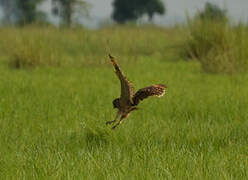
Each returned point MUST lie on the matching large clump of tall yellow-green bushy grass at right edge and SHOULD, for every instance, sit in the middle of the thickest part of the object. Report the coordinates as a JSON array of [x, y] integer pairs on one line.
[[218, 46]]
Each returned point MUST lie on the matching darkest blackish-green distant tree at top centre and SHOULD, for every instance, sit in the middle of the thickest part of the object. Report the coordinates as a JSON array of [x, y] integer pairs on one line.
[[132, 10]]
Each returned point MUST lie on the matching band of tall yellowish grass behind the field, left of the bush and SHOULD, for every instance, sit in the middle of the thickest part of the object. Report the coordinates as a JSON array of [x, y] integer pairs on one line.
[[40, 46]]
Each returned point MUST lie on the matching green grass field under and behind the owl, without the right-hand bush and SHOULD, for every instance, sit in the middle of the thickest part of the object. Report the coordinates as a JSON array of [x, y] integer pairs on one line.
[[52, 116]]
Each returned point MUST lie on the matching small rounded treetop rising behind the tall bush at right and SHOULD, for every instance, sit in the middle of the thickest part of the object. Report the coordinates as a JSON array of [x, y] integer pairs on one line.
[[213, 12]]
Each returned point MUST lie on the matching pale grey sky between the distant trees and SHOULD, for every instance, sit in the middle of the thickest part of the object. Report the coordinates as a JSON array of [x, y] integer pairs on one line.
[[101, 10]]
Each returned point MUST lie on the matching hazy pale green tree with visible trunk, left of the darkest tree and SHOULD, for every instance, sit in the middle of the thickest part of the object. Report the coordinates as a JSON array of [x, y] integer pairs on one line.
[[68, 9]]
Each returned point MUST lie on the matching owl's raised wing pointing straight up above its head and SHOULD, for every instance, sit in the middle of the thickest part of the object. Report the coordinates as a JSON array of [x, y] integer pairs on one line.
[[127, 90]]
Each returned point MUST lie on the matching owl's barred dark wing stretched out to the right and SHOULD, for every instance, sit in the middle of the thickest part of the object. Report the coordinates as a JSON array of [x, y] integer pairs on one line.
[[153, 90]]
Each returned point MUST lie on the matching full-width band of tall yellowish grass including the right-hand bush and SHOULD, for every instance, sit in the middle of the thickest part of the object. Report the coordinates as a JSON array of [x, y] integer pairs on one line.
[[218, 46]]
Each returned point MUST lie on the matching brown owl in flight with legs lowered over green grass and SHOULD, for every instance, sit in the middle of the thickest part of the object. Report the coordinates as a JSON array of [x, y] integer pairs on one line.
[[128, 101]]
